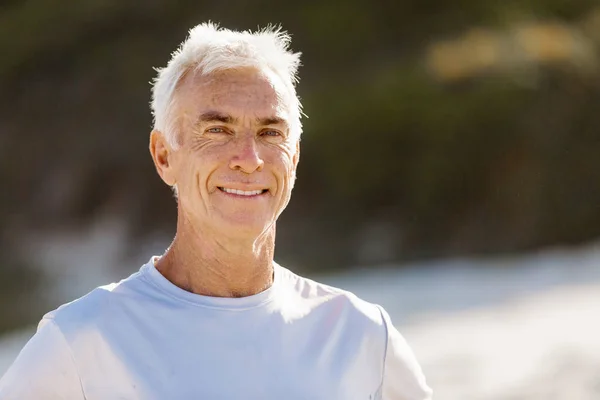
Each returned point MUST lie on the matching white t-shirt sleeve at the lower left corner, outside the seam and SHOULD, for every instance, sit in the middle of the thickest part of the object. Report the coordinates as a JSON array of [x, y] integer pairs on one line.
[[44, 369]]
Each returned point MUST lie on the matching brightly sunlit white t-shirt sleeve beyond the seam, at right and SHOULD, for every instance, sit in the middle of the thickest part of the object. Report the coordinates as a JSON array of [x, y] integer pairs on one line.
[[403, 378]]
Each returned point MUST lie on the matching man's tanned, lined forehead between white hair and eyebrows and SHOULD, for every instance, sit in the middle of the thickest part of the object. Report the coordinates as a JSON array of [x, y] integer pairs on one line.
[[240, 92]]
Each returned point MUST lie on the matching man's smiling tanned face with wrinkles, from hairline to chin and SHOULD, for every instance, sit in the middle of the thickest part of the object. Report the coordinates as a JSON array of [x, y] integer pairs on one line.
[[236, 163]]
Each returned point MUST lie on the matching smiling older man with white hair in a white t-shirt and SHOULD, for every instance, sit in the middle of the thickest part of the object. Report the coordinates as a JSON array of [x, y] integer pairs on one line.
[[215, 317]]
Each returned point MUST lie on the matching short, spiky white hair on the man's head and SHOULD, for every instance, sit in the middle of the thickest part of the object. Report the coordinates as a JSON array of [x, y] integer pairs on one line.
[[209, 48]]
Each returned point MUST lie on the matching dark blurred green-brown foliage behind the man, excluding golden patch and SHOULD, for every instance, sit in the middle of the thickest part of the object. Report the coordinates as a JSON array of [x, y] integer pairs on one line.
[[498, 160]]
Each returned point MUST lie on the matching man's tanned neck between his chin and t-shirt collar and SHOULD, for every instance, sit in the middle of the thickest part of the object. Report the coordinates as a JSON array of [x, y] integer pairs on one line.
[[210, 264]]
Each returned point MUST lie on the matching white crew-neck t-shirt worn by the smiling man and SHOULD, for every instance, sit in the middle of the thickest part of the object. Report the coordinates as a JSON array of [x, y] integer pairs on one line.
[[145, 338]]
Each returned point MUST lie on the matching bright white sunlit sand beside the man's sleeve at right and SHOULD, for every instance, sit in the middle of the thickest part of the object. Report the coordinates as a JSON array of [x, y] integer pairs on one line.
[[545, 346]]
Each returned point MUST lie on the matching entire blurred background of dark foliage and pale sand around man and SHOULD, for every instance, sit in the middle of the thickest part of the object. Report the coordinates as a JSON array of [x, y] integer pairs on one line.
[[450, 170]]
